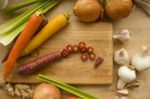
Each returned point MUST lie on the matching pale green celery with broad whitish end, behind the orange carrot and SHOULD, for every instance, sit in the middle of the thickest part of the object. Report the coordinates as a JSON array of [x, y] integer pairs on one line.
[[10, 30]]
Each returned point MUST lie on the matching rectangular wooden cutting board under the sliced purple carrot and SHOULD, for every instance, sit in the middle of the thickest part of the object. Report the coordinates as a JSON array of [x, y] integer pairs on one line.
[[72, 70]]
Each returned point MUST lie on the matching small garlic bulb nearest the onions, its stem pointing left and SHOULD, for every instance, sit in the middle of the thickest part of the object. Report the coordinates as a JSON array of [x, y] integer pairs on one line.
[[123, 36]]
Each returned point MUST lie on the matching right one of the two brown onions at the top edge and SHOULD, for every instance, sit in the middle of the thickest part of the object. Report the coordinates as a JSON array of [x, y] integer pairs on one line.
[[116, 9]]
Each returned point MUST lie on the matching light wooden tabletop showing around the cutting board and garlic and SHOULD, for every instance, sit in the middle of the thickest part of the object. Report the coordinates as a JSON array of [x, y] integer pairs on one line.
[[139, 25]]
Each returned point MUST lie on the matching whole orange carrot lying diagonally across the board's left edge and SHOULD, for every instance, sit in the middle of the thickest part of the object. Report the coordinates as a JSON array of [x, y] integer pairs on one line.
[[23, 39]]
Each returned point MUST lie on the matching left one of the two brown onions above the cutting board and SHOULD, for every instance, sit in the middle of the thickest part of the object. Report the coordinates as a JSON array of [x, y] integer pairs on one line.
[[88, 10]]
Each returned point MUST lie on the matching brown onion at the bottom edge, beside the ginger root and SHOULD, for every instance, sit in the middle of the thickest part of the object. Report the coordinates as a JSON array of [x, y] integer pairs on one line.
[[46, 91]]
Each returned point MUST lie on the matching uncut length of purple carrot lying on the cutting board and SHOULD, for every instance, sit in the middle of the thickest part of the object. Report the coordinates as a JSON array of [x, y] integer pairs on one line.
[[39, 63]]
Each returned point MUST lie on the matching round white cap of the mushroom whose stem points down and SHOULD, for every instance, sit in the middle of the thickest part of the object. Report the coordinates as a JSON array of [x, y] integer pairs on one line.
[[126, 74]]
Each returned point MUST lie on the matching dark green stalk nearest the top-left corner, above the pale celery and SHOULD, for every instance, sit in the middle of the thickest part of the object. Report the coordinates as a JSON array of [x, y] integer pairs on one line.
[[13, 7]]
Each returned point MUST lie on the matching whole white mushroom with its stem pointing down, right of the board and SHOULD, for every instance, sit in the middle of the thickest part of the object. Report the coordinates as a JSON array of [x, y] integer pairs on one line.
[[126, 75]]
